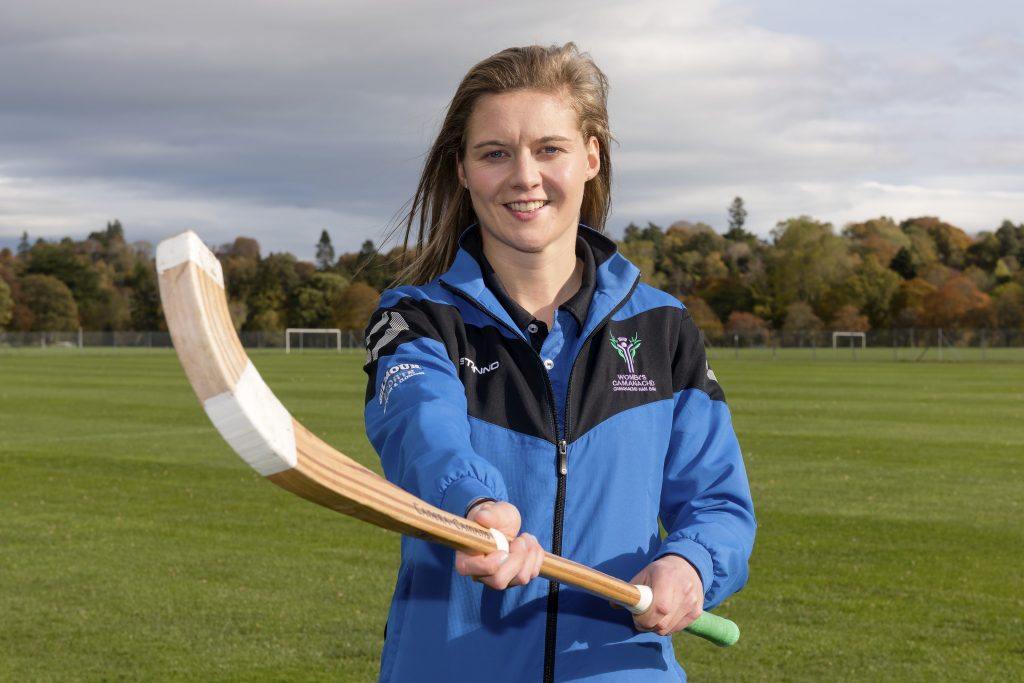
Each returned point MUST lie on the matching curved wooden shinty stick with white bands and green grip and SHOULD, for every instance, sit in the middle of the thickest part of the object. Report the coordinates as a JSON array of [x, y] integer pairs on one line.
[[266, 436]]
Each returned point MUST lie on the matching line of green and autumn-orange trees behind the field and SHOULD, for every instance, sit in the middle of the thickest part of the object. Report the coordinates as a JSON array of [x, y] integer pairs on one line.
[[805, 278]]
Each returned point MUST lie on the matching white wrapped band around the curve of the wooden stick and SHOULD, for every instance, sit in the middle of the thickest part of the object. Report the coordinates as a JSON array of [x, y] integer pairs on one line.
[[255, 424]]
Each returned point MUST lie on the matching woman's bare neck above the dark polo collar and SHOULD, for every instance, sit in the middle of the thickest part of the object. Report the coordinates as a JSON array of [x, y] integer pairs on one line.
[[539, 283]]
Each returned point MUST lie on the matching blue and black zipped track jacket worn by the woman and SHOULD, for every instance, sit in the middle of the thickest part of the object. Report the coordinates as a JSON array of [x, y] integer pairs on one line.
[[598, 431]]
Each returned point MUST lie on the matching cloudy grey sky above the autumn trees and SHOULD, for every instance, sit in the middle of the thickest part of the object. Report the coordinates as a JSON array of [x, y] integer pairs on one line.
[[278, 119]]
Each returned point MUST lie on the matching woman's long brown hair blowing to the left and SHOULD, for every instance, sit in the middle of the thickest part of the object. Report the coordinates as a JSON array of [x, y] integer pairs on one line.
[[442, 209]]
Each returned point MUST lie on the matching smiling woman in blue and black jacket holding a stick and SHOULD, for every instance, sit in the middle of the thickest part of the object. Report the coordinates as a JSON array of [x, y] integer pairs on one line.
[[529, 381]]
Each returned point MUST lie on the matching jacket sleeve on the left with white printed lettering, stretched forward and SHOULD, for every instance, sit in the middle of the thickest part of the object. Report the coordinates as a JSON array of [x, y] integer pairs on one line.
[[416, 412]]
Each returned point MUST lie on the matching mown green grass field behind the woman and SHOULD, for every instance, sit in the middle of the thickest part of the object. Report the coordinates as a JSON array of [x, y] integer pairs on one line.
[[135, 545]]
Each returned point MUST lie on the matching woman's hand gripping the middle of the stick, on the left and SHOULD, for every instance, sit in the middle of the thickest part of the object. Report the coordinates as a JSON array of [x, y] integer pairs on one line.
[[500, 570]]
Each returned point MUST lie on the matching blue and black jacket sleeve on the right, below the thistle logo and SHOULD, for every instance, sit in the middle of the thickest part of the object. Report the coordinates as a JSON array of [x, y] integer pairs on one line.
[[706, 499]]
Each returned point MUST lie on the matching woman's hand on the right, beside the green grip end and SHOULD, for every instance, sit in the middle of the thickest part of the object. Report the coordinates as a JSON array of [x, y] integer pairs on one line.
[[678, 595]]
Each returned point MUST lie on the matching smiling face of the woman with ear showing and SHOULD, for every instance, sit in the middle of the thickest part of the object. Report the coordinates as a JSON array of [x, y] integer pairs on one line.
[[526, 165]]
